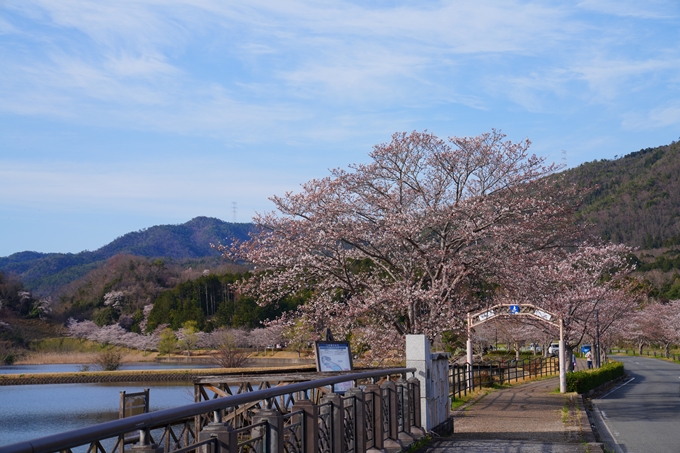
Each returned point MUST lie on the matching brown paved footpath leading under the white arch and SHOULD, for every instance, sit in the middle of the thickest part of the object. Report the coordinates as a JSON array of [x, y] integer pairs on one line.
[[527, 418]]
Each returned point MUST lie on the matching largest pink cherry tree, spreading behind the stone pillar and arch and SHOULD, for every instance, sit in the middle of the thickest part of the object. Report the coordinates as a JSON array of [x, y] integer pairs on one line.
[[429, 230]]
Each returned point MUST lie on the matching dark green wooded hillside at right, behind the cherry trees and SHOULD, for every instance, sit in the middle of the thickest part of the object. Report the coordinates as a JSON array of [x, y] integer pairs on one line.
[[636, 199]]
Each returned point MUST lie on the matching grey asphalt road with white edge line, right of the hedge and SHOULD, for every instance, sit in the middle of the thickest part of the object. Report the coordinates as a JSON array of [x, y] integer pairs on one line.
[[643, 415]]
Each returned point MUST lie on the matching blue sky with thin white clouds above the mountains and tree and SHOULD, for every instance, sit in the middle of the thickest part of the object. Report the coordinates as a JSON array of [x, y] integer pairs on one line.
[[117, 116]]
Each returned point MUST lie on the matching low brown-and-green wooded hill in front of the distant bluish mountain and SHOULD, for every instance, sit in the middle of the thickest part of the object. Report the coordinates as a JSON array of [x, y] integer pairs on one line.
[[118, 291]]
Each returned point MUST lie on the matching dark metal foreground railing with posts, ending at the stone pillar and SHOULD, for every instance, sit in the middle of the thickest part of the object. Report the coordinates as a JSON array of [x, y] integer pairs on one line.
[[382, 414]]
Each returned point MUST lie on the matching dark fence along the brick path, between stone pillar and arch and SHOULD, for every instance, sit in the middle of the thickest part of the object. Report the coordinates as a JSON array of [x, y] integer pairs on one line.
[[485, 374]]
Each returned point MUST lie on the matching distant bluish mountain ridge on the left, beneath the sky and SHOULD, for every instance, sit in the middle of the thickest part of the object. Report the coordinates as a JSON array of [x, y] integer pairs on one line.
[[42, 273]]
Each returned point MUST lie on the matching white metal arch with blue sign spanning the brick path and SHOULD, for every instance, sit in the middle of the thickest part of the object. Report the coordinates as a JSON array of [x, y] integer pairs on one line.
[[506, 310]]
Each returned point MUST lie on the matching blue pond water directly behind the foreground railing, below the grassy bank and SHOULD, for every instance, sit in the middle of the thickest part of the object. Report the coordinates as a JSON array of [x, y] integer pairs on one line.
[[31, 411]]
